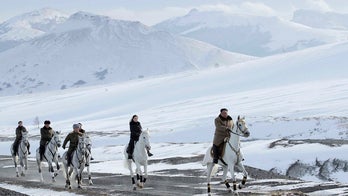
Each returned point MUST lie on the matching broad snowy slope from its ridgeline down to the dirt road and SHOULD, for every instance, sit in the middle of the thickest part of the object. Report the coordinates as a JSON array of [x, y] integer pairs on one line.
[[300, 95]]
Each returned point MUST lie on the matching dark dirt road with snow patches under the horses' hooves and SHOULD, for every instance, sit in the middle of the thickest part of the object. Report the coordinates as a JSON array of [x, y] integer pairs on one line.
[[165, 182]]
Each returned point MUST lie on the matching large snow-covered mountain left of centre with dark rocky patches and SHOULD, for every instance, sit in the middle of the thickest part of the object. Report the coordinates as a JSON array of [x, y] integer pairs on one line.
[[90, 49]]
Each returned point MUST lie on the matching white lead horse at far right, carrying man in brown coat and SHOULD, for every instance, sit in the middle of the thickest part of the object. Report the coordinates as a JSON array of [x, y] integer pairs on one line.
[[232, 157]]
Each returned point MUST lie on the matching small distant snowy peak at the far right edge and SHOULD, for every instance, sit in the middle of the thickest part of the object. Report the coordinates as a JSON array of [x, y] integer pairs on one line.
[[319, 19]]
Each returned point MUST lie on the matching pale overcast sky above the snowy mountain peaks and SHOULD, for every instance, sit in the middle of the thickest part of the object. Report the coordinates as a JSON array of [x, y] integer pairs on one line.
[[151, 12]]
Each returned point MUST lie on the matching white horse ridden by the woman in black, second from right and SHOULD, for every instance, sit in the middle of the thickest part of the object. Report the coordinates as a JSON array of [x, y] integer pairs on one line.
[[139, 158]]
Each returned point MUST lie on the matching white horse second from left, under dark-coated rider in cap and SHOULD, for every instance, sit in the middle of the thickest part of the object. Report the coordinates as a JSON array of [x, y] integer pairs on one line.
[[50, 156]]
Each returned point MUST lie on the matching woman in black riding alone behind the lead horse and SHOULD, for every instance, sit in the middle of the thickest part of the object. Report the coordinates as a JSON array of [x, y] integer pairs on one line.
[[135, 129]]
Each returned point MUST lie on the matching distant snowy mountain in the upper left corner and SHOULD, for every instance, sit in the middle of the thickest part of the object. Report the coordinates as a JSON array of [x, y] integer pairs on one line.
[[28, 26]]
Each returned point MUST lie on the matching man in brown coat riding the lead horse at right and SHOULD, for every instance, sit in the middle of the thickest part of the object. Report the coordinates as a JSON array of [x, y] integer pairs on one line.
[[223, 126]]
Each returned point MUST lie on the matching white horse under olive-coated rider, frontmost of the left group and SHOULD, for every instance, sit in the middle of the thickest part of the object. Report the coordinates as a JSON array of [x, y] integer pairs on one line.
[[78, 162]]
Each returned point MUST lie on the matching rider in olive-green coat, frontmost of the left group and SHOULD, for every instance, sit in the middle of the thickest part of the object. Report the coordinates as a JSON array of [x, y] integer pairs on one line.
[[73, 138]]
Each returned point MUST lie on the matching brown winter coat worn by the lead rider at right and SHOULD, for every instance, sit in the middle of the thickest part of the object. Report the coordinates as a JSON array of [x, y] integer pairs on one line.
[[222, 127]]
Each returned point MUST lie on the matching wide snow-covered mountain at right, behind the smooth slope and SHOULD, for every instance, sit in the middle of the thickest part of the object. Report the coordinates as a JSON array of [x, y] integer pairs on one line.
[[249, 34]]
